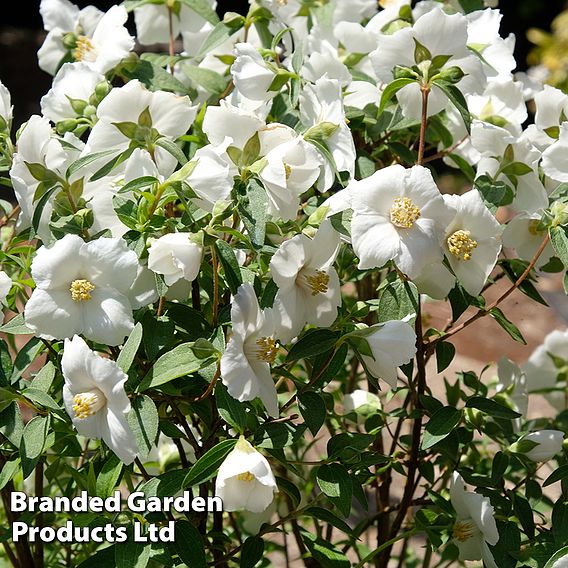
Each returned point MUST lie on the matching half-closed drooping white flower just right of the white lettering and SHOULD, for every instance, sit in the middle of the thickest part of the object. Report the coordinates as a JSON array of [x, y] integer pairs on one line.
[[245, 480]]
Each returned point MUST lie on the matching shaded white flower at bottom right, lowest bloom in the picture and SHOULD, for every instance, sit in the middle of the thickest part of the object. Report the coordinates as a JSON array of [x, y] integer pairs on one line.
[[475, 526]]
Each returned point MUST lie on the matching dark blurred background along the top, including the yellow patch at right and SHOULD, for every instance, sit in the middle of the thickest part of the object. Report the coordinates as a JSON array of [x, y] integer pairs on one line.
[[21, 34]]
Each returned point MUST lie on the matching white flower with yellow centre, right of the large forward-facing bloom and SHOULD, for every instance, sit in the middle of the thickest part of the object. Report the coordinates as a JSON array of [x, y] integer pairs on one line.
[[472, 240]]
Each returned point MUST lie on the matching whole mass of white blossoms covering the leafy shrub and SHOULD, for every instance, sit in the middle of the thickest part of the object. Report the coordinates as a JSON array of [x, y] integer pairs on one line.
[[236, 167]]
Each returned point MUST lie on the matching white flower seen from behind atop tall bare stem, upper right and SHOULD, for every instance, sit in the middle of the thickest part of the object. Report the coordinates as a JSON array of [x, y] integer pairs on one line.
[[441, 34]]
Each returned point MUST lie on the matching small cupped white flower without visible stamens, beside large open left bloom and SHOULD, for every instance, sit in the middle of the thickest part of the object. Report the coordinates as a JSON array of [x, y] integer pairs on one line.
[[175, 256]]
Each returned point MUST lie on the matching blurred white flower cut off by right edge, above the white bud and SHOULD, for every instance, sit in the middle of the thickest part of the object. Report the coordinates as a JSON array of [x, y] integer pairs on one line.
[[542, 371]]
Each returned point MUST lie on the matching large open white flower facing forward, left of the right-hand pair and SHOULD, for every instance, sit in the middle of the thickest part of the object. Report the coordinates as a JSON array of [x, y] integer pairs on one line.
[[398, 214]]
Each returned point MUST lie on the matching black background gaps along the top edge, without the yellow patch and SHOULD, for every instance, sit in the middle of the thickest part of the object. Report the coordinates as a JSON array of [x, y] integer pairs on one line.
[[21, 34]]
